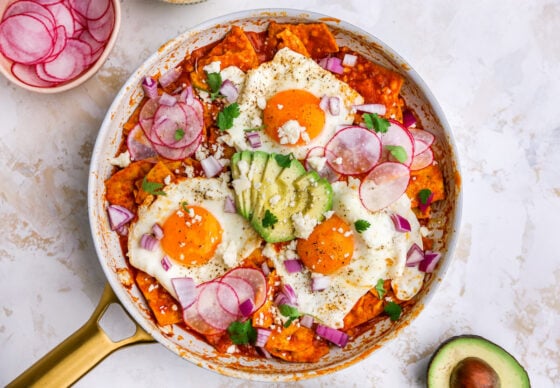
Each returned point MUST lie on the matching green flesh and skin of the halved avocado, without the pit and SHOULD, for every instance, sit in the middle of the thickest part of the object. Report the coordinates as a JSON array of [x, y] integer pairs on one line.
[[511, 372]]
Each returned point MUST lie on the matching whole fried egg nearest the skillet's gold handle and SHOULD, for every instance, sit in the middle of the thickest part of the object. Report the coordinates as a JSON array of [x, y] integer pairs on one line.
[[200, 240]]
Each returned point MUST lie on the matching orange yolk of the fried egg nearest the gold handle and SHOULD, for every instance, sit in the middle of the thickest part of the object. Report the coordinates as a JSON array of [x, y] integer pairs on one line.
[[191, 235]]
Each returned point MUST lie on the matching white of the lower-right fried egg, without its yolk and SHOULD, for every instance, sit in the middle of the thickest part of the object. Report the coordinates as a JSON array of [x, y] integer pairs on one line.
[[379, 253]]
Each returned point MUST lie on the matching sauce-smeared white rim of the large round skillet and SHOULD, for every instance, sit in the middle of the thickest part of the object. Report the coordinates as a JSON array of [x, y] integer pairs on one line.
[[132, 82]]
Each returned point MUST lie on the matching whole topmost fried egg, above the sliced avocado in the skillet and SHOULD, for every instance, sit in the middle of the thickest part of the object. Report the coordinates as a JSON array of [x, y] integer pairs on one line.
[[283, 98]]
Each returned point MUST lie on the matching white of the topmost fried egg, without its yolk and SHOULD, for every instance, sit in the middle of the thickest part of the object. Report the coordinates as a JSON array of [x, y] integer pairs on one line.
[[289, 70]]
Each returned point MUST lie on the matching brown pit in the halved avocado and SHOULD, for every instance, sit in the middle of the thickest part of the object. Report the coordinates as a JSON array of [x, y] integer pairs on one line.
[[473, 372]]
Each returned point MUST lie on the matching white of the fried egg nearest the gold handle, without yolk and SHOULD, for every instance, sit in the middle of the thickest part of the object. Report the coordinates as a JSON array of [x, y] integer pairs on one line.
[[238, 238]]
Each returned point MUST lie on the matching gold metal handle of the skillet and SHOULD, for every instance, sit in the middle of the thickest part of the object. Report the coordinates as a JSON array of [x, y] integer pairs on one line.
[[79, 353]]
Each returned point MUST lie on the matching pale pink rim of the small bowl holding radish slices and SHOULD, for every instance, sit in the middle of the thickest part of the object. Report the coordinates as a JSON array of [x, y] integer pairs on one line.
[[85, 76]]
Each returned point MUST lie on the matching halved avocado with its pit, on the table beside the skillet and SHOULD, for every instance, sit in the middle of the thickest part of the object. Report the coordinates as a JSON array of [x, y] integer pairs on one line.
[[470, 356]]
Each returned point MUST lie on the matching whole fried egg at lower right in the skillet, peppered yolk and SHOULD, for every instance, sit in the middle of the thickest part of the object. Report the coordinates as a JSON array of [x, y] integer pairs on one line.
[[354, 261]]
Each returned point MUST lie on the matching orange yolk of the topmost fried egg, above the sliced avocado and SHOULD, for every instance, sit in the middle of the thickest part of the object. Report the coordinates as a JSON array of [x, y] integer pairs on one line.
[[293, 104]]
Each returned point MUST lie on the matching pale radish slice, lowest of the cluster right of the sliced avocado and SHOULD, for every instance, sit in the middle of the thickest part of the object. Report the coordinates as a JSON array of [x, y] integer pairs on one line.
[[384, 185]]
